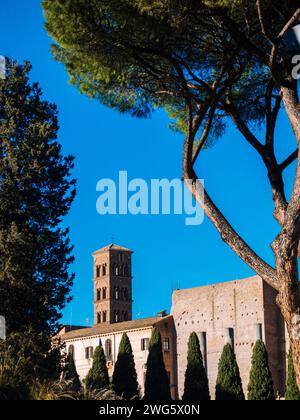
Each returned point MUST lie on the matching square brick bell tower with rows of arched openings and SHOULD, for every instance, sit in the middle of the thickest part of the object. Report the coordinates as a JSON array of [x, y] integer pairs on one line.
[[112, 285]]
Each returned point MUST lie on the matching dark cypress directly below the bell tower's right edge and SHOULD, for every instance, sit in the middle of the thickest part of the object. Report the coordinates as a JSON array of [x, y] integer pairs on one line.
[[125, 382]]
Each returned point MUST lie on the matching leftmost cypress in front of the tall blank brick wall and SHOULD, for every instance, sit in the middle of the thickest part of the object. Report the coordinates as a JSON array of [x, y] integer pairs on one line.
[[196, 382]]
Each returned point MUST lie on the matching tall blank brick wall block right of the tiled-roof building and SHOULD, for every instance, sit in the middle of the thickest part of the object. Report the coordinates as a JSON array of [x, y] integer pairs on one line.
[[239, 313]]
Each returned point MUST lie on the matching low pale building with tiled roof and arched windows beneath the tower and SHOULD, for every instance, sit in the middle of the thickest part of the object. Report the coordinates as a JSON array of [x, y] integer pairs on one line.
[[82, 343]]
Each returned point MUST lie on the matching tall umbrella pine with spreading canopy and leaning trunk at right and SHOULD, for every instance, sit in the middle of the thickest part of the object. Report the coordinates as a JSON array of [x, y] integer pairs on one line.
[[208, 63]]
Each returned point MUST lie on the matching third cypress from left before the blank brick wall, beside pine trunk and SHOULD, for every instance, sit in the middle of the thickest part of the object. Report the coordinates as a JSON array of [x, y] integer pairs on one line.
[[261, 387]]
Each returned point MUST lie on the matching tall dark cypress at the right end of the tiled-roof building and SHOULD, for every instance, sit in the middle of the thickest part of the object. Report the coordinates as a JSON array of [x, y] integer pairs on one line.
[[157, 387]]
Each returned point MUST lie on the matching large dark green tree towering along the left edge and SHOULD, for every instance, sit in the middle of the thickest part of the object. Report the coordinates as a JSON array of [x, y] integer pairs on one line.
[[36, 192]]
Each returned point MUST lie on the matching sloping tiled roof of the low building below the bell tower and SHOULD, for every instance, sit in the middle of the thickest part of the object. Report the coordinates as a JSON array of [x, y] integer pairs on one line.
[[103, 329]]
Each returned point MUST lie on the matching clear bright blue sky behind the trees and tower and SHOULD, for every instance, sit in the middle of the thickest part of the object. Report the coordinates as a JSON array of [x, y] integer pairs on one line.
[[167, 253]]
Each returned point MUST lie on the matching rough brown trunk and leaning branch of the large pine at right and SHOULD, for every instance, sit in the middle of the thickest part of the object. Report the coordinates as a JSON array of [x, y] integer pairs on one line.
[[285, 277]]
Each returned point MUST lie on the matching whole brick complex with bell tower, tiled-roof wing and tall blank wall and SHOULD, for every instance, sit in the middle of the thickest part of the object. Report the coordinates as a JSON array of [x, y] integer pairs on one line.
[[238, 312]]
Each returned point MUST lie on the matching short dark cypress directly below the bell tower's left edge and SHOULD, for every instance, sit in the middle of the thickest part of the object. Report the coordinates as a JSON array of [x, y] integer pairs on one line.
[[97, 379]]
